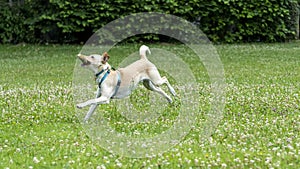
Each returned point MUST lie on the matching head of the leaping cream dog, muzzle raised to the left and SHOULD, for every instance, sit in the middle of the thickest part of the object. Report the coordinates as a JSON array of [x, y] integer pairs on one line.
[[95, 61]]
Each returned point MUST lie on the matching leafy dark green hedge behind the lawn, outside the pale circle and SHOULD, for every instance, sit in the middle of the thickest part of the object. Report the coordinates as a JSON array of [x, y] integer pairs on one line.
[[61, 21]]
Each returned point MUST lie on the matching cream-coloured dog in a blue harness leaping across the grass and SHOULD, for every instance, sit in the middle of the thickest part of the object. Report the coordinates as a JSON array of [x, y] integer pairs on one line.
[[118, 84]]
